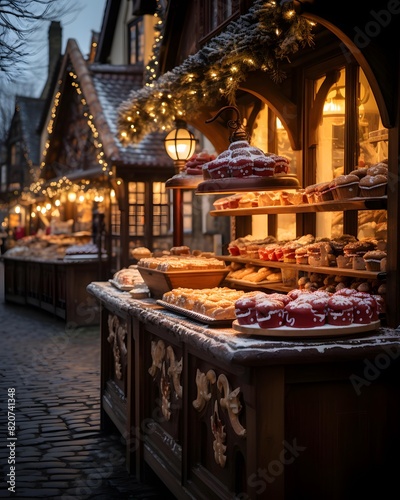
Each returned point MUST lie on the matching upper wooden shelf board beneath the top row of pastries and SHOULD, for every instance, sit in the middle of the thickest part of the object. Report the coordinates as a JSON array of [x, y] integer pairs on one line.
[[378, 203]]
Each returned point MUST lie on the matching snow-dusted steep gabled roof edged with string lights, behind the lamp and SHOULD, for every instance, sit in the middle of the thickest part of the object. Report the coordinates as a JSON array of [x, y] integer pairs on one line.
[[103, 88]]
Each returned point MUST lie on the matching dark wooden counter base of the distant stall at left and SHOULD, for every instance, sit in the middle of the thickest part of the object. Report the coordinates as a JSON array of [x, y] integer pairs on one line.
[[56, 286]]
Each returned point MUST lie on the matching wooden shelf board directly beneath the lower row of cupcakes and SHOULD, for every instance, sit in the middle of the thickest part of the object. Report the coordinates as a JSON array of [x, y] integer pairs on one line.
[[306, 267]]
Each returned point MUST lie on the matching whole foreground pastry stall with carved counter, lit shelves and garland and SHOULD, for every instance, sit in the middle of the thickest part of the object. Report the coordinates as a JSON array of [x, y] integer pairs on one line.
[[270, 370]]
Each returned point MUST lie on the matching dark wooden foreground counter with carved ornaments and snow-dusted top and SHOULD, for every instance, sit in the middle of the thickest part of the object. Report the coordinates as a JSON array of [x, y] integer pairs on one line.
[[220, 415]]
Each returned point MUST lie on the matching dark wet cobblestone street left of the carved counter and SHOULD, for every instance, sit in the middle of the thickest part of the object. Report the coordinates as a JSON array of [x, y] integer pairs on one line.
[[59, 450]]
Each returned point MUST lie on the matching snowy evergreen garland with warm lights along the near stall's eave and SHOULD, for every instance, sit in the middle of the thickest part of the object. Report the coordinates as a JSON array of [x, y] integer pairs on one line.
[[258, 40]]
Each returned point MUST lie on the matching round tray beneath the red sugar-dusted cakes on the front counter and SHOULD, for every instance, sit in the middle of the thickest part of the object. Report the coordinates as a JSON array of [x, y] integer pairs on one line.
[[286, 332]]
